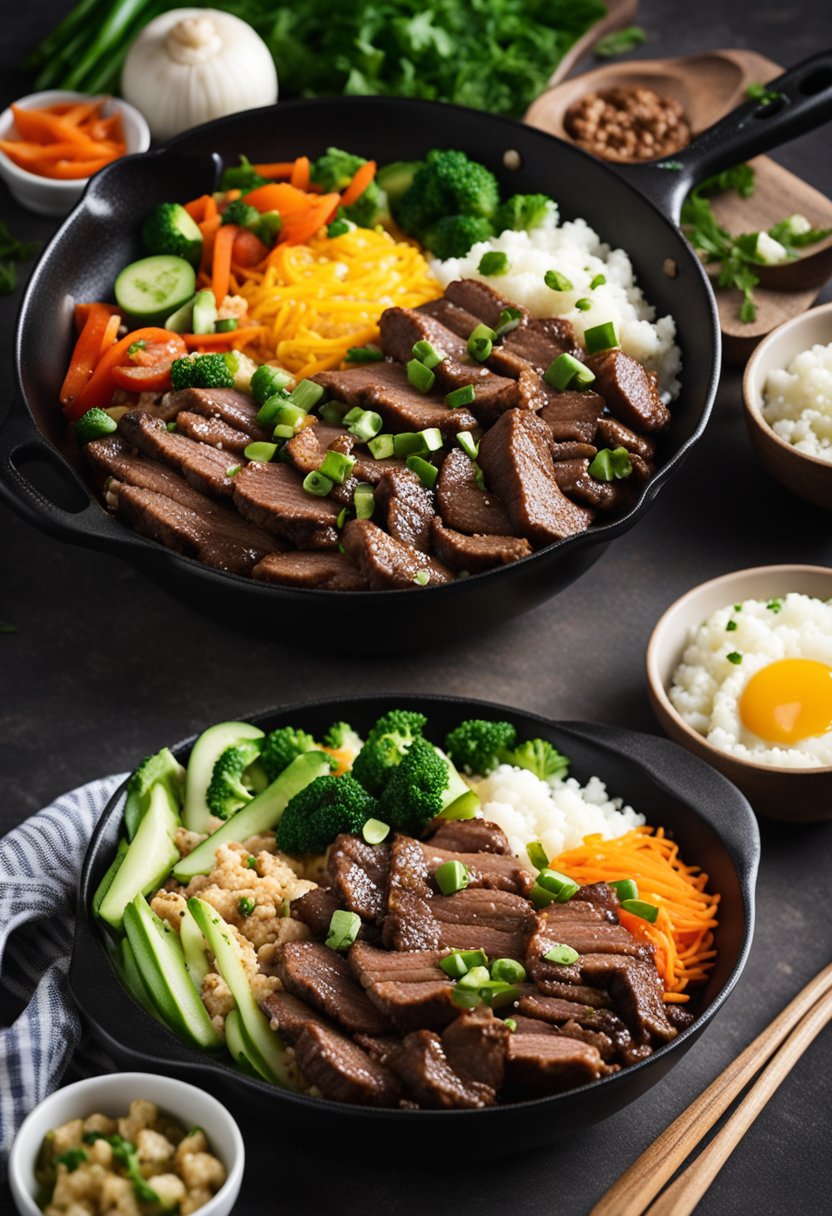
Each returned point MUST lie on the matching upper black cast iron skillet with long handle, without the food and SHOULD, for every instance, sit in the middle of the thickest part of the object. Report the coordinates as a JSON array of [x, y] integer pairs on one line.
[[636, 209]]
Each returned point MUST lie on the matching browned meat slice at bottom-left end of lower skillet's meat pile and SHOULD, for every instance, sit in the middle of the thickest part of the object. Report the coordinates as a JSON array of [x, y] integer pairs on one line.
[[342, 1071]]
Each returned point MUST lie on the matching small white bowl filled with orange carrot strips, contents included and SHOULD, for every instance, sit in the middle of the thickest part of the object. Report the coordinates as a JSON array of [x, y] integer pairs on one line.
[[53, 143]]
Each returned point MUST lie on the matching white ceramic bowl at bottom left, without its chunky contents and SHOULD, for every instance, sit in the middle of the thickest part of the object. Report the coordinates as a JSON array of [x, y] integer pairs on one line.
[[113, 1096]]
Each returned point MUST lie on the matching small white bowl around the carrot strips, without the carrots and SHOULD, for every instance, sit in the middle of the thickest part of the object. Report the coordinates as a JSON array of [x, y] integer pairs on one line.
[[49, 196]]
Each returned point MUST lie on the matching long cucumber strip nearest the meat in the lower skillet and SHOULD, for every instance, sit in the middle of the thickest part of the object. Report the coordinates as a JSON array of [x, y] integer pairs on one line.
[[262, 1045]]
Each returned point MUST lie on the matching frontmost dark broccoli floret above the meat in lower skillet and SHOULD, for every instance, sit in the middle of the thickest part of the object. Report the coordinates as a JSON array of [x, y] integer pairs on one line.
[[321, 813]]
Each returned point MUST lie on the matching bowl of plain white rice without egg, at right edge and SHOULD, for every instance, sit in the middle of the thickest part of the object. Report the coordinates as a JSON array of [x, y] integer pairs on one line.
[[788, 395]]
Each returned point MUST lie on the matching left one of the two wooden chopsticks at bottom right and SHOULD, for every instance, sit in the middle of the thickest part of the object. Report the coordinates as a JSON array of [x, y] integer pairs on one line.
[[644, 1180]]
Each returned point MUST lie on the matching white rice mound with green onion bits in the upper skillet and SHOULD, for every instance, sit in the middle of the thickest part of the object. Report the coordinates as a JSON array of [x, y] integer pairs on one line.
[[577, 251]]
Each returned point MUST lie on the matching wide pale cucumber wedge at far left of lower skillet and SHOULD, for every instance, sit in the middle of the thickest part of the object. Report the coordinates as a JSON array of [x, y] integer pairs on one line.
[[148, 860]]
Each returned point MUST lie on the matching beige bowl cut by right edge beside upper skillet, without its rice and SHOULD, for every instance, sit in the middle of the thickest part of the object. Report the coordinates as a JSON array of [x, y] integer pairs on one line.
[[806, 476]]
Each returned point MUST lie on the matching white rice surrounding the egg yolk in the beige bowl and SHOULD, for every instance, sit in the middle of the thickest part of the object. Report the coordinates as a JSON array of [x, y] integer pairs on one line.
[[707, 686]]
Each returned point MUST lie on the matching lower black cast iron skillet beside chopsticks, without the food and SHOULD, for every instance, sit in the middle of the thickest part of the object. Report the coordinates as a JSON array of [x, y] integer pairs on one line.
[[711, 820]]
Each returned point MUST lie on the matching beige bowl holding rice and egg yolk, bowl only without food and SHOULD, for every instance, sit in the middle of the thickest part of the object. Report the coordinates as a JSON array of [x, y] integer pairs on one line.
[[792, 796]]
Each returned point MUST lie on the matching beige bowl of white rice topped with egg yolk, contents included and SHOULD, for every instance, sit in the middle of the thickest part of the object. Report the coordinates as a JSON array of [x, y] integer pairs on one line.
[[740, 672]]
